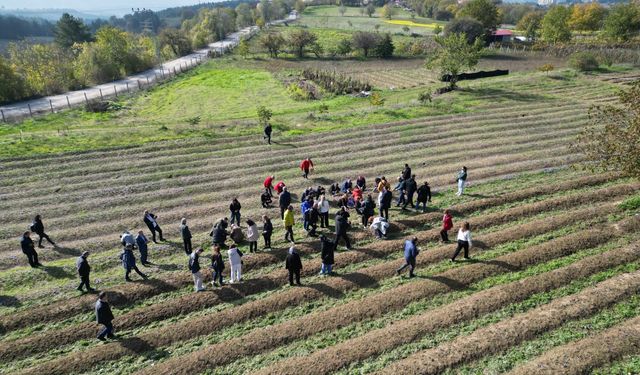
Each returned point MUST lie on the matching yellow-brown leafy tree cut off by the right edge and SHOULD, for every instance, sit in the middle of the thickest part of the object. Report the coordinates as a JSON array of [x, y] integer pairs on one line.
[[611, 141]]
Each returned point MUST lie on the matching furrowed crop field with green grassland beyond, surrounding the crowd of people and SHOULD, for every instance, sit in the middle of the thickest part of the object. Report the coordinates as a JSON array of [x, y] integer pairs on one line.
[[553, 281]]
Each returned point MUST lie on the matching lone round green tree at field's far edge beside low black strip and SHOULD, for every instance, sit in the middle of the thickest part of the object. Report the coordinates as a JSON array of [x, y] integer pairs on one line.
[[455, 54]]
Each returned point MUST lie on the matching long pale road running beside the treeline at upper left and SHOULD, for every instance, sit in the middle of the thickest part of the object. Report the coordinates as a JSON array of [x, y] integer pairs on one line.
[[49, 104]]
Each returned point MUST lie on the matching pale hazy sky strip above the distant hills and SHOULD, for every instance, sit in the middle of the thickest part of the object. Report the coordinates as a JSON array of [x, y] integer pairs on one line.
[[96, 6]]
